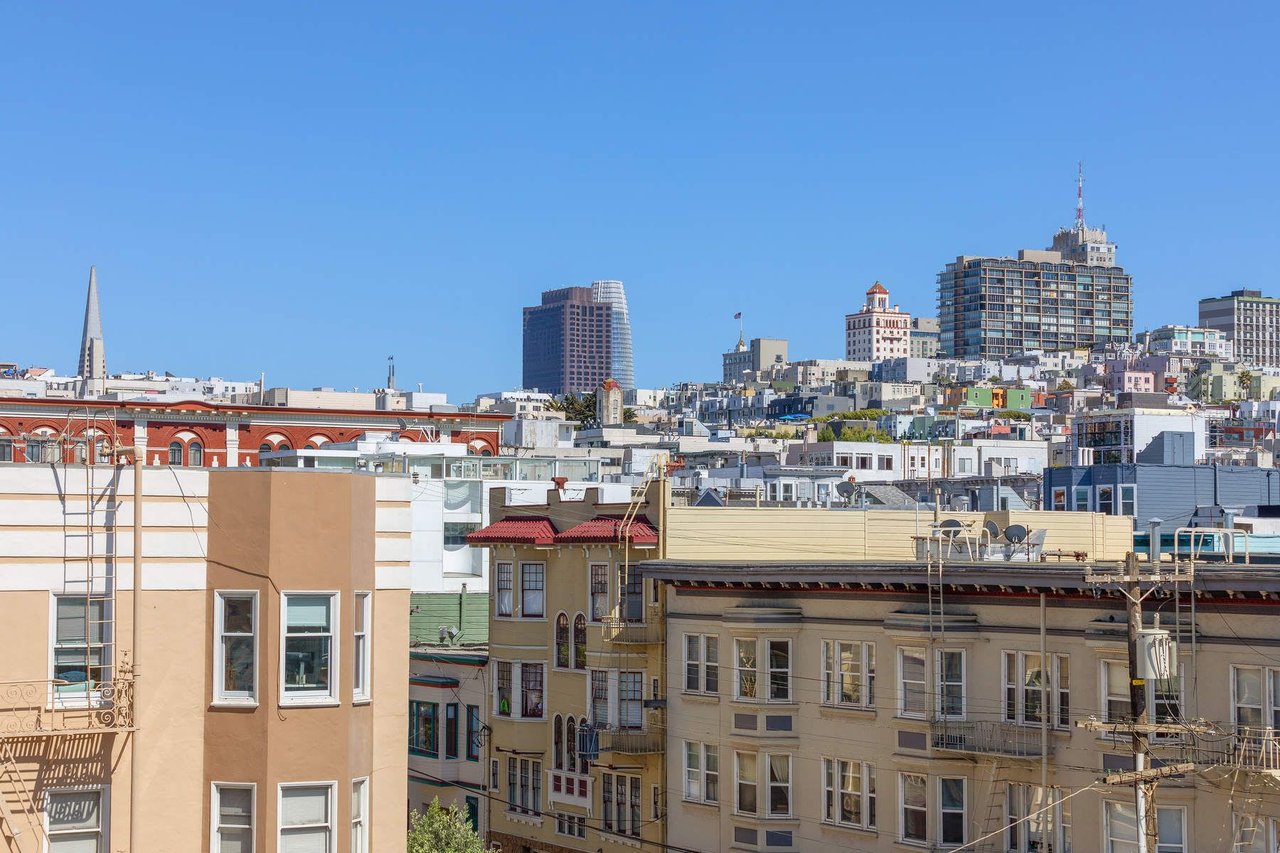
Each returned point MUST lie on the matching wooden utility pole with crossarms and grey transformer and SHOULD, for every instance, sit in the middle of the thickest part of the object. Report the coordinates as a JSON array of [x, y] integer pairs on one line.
[[1136, 586]]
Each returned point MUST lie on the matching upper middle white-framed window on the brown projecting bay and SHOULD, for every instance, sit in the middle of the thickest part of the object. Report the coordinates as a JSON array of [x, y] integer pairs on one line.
[[308, 656]]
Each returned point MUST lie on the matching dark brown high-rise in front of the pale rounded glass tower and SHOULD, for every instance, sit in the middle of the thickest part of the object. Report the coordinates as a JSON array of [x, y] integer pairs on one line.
[[569, 343]]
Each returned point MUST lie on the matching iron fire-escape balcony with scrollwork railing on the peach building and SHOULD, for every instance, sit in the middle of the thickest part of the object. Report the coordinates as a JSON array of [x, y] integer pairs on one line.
[[51, 708]]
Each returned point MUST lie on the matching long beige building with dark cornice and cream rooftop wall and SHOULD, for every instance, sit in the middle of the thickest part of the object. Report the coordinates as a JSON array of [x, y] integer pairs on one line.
[[828, 692]]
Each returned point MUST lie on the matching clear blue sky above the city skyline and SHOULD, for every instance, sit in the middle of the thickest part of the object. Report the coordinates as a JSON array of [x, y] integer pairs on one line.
[[307, 189]]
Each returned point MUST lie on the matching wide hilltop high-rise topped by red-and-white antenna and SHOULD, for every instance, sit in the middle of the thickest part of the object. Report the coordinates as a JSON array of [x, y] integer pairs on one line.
[[1072, 295]]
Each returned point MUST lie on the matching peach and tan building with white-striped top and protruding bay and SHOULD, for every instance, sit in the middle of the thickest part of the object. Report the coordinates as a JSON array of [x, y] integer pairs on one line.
[[202, 660]]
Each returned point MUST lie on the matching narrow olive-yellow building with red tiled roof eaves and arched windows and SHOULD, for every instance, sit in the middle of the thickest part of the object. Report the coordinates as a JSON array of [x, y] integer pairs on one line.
[[577, 690]]
